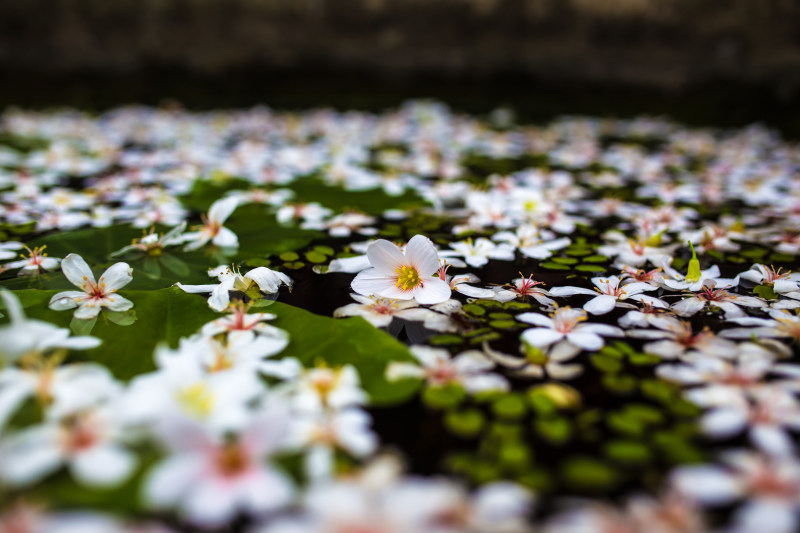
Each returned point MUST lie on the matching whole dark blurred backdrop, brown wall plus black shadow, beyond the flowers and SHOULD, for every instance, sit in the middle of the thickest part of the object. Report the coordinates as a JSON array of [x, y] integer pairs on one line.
[[722, 62]]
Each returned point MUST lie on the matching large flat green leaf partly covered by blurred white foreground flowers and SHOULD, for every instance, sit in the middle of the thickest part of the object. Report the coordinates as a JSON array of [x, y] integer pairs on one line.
[[166, 315]]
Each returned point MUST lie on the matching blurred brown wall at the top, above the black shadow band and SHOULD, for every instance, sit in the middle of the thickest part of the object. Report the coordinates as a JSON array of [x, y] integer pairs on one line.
[[665, 43]]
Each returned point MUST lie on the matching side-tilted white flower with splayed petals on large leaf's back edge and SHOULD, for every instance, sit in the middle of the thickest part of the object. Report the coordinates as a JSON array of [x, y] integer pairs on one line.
[[267, 281]]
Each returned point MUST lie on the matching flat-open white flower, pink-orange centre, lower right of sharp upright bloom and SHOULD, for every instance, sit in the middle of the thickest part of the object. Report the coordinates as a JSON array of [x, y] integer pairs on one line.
[[565, 323]]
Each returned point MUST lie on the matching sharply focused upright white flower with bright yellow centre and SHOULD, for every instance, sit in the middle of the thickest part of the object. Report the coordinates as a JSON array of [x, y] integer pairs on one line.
[[403, 276]]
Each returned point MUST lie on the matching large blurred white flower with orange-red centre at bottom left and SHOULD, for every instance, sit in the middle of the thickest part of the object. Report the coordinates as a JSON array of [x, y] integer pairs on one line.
[[210, 478]]
